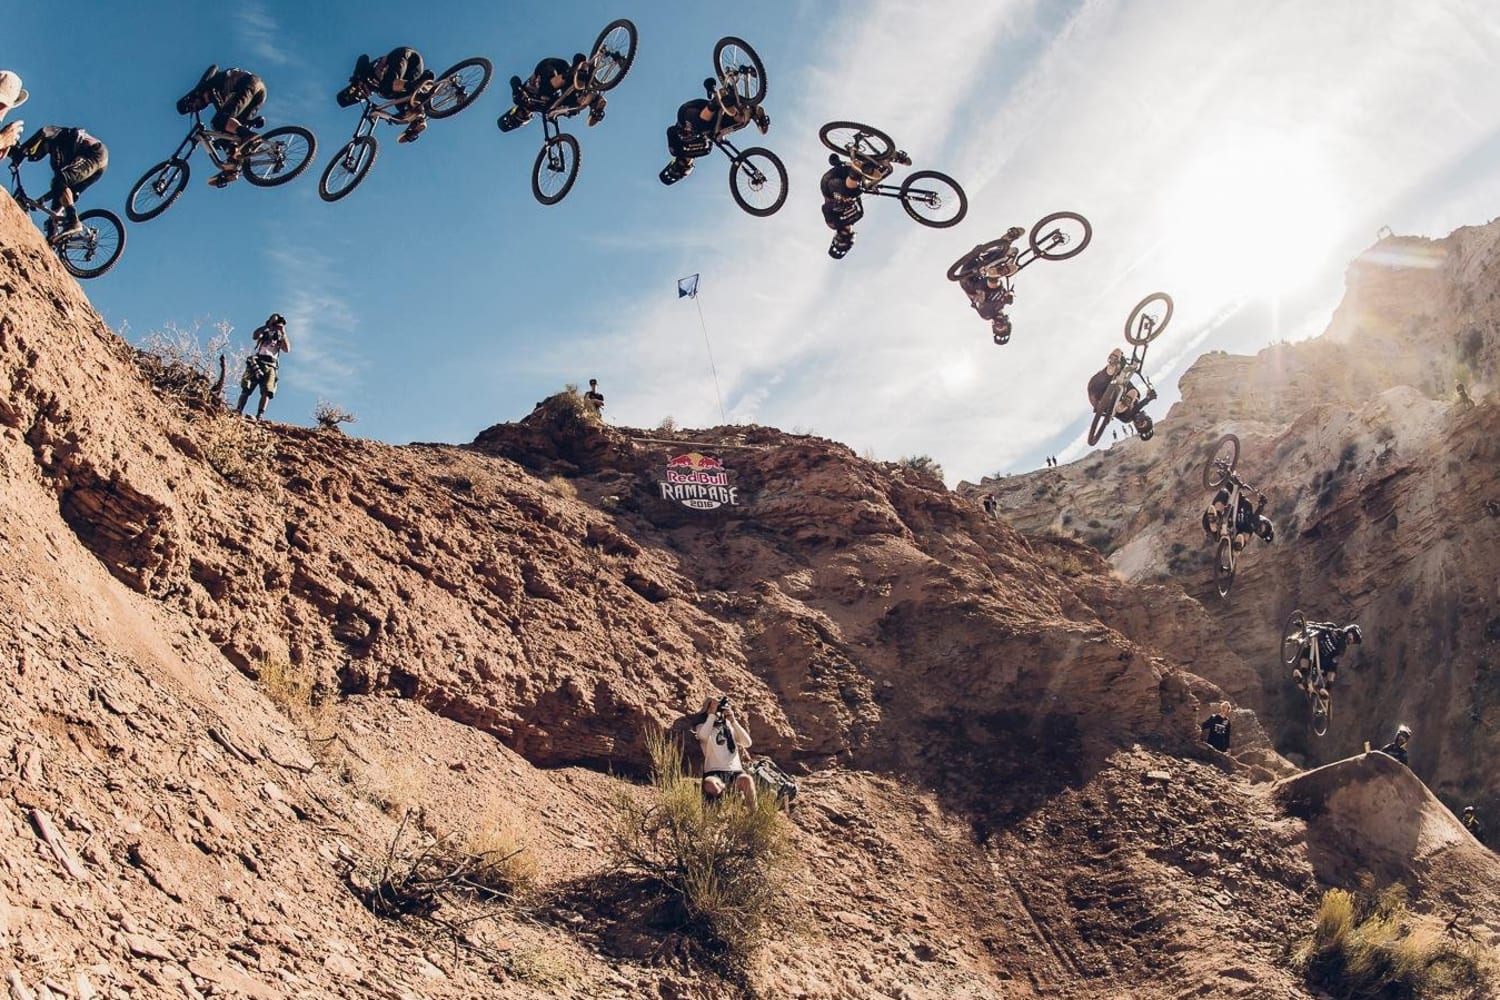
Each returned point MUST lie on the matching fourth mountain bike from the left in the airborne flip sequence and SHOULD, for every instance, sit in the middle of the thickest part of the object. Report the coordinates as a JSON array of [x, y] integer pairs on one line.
[[556, 172]]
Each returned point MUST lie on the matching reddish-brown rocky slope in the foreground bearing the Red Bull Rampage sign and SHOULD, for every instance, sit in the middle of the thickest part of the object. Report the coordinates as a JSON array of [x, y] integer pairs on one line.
[[245, 659]]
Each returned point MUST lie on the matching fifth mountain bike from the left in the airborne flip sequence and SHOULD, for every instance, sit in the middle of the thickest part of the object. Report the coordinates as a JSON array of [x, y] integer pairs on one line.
[[757, 176]]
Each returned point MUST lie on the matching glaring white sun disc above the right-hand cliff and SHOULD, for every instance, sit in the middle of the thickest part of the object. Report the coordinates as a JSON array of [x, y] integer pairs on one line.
[[1253, 217]]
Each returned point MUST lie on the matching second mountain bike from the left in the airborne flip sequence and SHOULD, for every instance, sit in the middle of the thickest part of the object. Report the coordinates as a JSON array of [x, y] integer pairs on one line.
[[268, 160]]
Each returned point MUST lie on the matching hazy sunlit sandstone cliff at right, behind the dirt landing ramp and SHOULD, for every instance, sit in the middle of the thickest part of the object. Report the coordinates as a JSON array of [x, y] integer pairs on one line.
[[1379, 478]]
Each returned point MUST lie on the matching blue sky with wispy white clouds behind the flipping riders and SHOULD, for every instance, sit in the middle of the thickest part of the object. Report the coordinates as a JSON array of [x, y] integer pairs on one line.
[[1234, 155]]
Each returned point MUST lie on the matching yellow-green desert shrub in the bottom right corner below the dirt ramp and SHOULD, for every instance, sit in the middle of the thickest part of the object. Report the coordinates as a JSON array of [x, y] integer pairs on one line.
[[1370, 947]]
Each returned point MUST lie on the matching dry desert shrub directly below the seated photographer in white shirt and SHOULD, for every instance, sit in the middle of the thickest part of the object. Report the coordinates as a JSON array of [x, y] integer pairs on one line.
[[725, 866]]
